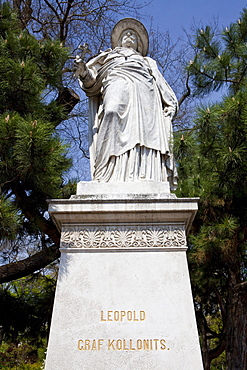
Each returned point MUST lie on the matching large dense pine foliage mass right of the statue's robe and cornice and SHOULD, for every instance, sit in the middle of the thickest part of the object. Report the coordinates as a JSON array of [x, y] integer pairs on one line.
[[213, 165]]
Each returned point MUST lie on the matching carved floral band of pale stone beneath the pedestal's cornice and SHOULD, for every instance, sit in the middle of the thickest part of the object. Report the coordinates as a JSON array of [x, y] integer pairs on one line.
[[123, 236]]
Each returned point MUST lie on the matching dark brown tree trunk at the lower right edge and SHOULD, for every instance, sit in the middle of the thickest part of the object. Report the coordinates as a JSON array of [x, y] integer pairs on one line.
[[236, 331]]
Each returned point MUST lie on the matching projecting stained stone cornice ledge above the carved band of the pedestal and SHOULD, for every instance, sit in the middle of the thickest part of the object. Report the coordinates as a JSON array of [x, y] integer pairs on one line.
[[123, 209]]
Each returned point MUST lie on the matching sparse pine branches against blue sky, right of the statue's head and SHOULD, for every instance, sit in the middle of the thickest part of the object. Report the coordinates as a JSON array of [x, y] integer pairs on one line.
[[220, 59]]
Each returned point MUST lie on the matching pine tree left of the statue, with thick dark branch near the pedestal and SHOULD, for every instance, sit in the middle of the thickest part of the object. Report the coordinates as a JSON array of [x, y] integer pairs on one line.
[[33, 158]]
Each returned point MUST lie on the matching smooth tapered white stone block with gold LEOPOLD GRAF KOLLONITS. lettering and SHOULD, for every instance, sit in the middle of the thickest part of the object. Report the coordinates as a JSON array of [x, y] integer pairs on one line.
[[101, 302]]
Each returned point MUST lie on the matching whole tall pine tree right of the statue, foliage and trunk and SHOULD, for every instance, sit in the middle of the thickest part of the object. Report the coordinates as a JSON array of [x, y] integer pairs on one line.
[[213, 165]]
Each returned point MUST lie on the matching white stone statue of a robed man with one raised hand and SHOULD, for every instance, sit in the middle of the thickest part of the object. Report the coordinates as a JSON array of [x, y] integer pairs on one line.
[[131, 107]]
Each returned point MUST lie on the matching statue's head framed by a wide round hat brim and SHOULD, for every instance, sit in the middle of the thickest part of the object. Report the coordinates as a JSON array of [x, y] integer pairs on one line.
[[129, 32]]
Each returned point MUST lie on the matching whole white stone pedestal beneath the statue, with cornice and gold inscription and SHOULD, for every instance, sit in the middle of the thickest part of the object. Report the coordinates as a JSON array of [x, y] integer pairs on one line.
[[123, 298]]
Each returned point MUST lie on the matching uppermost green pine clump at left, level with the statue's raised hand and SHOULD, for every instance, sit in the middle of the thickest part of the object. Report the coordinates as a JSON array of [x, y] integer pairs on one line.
[[27, 67]]
